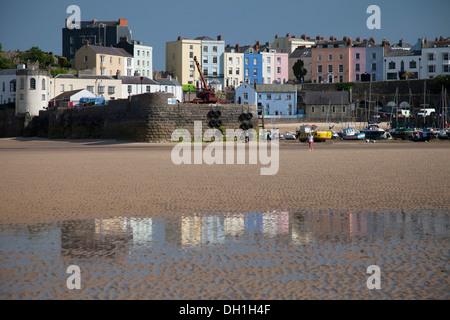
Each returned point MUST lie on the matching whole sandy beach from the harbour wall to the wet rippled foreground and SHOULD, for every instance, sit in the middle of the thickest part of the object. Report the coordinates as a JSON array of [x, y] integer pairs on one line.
[[54, 184]]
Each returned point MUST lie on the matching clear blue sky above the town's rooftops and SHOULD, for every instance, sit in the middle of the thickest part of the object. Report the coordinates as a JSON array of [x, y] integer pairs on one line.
[[28, 23]]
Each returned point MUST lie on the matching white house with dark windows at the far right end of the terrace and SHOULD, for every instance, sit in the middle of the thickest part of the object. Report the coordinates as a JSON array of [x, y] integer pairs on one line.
[[435, 58]]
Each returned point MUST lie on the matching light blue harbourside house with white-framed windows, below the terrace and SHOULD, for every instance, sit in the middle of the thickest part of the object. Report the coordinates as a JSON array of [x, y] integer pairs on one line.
[[275, 100]]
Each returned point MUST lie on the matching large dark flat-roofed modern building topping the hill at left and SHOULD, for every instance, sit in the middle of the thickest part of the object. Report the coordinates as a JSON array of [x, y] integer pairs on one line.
[[104, 33]]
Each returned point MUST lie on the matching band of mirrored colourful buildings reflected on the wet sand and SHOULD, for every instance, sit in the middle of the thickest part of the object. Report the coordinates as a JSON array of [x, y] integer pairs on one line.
[[113, 238]]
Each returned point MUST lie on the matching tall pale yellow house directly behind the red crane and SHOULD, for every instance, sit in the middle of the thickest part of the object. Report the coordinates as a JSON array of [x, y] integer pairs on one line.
[[180, 59]]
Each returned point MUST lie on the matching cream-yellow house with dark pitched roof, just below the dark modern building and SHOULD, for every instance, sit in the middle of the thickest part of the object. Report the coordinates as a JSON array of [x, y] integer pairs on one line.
[[105, 61]]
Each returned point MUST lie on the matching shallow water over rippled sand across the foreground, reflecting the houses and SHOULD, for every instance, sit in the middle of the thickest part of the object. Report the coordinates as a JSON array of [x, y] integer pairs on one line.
[[273, 255]]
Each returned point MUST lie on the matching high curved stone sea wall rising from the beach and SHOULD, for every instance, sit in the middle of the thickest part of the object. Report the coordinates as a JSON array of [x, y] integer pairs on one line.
[[145, 118]]
